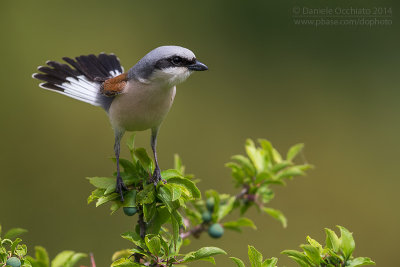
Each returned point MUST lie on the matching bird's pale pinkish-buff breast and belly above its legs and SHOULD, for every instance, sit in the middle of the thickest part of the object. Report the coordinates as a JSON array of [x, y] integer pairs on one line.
[[141, 108]]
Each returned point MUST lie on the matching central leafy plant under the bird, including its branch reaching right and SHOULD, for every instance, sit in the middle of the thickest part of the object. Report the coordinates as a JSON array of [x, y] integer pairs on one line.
[[171, 212]]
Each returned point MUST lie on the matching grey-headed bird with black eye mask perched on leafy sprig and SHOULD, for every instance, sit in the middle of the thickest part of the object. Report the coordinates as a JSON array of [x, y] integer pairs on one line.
[[136, 100]]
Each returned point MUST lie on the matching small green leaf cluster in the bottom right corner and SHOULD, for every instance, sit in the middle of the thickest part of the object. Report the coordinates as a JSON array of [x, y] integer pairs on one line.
[[336, 253]]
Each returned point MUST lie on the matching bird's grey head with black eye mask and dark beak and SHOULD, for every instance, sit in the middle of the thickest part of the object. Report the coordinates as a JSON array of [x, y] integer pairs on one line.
[[166, 64]]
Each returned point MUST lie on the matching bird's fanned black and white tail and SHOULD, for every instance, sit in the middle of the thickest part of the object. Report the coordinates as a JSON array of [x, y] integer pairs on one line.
[[81, 80]]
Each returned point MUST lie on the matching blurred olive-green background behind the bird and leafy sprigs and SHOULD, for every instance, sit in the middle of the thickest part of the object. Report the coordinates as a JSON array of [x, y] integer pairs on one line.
[[334, 88]]
